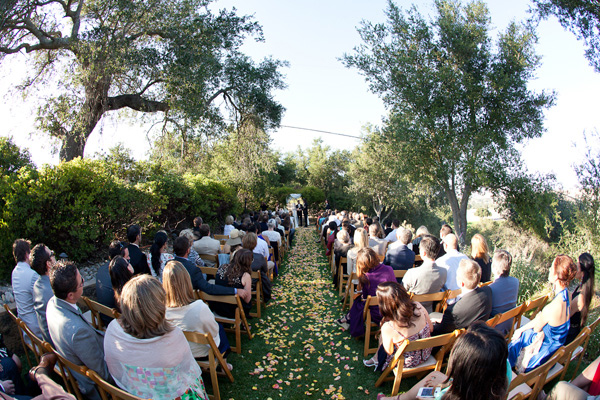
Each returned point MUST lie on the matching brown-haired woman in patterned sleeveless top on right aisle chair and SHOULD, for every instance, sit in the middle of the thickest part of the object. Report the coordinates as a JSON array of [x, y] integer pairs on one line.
[[404, 319]]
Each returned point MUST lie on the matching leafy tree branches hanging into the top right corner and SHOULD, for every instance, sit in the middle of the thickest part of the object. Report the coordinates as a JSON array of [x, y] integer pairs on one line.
[[582, 17]]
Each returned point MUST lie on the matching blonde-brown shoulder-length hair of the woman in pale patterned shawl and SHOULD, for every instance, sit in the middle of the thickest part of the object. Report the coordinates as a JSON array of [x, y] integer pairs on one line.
[[143, 308]]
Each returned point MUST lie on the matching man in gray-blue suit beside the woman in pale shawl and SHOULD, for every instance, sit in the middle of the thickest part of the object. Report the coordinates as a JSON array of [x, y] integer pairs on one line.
[[73, 336]]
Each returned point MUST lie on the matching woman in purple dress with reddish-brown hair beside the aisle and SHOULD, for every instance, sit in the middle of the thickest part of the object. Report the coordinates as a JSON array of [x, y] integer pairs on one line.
[[370, 274]]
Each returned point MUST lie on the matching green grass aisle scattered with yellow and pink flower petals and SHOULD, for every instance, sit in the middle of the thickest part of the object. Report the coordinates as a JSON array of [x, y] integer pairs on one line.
[[298, 352]]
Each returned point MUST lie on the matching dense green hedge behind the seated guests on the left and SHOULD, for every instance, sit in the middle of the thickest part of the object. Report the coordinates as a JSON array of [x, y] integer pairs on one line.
[[78, 207]]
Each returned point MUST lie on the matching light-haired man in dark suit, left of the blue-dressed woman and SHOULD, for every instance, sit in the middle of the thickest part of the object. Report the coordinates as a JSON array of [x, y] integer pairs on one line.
[[475, 303]]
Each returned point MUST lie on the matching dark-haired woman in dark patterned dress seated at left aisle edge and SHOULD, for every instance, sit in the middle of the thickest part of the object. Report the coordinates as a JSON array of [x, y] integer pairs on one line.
[[236, 274]]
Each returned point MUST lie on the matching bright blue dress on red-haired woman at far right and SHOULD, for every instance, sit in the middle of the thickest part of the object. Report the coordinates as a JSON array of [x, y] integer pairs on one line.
[[554, 338]]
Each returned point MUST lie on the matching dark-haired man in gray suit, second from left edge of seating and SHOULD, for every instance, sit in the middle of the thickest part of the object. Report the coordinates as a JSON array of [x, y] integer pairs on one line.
[[42, 260]]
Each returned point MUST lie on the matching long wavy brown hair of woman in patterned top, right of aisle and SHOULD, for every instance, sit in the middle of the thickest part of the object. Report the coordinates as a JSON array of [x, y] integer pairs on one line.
[[395, 304]]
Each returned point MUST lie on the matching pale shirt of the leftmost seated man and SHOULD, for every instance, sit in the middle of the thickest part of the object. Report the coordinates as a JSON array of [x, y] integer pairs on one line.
[[23, 279]]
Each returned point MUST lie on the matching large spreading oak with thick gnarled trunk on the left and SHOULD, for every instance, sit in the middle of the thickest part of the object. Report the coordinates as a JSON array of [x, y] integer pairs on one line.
[[174, 57]]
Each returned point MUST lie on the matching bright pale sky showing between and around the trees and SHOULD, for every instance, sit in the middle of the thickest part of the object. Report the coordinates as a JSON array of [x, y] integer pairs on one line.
[[322, 94]]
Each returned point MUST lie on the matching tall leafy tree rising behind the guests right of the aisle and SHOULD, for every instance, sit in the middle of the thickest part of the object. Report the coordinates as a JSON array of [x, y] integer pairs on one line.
[[457, 104]]
